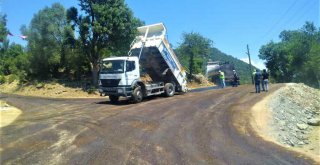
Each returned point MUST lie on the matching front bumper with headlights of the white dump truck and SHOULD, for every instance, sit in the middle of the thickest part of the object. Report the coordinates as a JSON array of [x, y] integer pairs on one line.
[[116, 91]]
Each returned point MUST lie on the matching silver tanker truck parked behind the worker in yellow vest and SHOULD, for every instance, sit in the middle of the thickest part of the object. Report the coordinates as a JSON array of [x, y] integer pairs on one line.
[[212, 71]]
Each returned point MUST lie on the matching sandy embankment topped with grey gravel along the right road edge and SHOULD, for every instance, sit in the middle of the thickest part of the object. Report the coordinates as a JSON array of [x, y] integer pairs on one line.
[[291, 117]]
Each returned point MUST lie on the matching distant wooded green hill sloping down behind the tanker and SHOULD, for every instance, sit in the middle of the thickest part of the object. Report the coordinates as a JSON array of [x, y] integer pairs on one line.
[[241, 67]]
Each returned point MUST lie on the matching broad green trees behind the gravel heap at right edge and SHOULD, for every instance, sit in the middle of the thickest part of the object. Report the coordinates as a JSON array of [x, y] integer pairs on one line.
[[295, 58]]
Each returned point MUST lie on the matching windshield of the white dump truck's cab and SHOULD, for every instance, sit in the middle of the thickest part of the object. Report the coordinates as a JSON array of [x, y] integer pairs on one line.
[[112, 66]]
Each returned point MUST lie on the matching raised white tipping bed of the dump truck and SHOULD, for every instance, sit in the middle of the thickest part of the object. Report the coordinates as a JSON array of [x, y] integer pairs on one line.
[[157, 58]]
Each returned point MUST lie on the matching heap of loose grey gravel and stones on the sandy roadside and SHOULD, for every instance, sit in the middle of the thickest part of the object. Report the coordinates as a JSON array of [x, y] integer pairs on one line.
[[296, 112]]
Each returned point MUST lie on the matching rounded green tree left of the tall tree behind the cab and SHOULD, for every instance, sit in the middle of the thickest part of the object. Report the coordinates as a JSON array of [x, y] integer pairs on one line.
[[46, 41]]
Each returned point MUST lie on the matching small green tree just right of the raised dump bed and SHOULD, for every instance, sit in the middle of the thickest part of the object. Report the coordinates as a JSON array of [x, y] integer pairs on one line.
[[193, 51]]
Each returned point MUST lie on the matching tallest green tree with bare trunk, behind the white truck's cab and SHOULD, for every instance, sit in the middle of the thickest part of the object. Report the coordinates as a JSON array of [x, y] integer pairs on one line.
[[105, 26]]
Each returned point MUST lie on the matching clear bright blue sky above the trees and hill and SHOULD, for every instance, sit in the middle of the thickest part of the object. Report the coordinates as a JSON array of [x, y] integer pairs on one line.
[[230, 24]]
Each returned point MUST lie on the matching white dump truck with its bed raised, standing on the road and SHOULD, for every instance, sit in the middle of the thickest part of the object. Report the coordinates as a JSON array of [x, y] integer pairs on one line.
[[150, 68]]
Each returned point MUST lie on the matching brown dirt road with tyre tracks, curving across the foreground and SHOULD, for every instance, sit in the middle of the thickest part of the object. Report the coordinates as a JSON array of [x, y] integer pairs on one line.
[[209, 127]]
